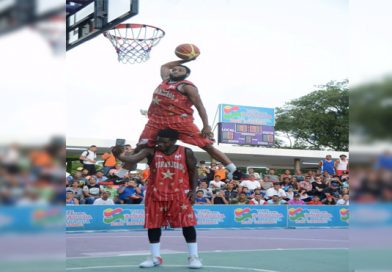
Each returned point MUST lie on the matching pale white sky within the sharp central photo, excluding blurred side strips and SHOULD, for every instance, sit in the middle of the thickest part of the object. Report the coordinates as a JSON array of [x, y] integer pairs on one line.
[[254, 53]]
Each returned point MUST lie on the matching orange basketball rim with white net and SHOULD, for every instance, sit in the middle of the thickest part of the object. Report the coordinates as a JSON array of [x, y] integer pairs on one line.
[[133, 42]]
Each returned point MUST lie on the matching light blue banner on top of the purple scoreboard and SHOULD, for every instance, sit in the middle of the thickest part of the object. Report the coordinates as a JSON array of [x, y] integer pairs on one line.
[[246, 115]]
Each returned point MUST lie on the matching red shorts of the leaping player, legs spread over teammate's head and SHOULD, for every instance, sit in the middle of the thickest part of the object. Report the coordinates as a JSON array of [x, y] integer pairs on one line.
[[189, 133]]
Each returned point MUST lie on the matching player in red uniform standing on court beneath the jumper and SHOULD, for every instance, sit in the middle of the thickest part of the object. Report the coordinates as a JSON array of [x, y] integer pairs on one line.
[[172, 173]]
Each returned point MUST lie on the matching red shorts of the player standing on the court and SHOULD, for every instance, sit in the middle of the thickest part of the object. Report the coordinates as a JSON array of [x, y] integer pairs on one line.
[[176, 213]]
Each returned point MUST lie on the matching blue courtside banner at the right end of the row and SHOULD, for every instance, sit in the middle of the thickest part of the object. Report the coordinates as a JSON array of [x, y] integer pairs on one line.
[[318, 216]]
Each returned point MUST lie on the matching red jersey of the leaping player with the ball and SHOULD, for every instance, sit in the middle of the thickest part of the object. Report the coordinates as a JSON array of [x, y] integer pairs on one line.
[[169, 104]]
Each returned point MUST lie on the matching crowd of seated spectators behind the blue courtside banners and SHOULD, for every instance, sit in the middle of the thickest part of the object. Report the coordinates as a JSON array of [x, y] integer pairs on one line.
[[329, 185]]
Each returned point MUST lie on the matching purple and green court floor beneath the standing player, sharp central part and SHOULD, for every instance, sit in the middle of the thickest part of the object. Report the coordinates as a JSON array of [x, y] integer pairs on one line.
[[280, 250]]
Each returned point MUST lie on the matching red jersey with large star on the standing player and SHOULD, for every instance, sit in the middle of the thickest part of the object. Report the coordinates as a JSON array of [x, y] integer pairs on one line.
[[169, 176]]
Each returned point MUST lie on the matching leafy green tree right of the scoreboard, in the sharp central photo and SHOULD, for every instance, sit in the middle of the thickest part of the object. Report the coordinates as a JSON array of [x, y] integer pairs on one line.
[[318, 120]]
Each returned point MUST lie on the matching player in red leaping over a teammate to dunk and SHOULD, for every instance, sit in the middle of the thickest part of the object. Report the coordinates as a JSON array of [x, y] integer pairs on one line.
[[171, 107]]
